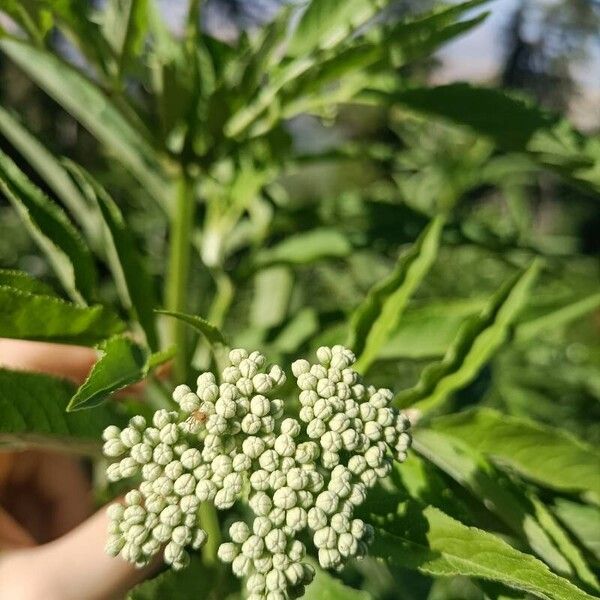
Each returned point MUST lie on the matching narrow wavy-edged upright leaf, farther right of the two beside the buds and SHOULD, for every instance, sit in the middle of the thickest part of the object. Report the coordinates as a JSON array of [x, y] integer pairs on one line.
[[475, 344]]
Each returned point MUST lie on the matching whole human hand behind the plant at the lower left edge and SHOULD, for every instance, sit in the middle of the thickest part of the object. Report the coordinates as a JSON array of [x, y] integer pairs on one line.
[[50, 546]]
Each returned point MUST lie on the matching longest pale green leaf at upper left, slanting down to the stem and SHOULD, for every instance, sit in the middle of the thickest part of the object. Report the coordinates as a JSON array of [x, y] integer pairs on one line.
[[93, 110]]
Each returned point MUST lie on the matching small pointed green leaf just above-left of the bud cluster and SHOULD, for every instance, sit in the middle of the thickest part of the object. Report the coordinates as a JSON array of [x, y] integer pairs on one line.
[[122, 362]]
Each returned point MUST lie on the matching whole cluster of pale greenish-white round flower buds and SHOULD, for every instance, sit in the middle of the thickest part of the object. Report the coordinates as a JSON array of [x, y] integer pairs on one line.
[[230, 442]]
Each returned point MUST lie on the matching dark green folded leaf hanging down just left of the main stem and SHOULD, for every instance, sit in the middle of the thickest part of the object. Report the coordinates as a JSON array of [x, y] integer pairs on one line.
[[127, 265]]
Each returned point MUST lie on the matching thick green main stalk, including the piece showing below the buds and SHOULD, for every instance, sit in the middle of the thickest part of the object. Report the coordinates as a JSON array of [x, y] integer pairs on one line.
[[182, 224]]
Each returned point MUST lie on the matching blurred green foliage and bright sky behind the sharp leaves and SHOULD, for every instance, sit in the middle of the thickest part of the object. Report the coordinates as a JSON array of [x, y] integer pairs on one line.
[[329, 201]]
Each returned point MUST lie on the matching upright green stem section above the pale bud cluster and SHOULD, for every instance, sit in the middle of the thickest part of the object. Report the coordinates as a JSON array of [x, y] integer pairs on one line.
[[182, 220]]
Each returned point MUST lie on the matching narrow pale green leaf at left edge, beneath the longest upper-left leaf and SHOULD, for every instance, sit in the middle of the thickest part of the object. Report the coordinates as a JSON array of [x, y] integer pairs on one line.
[[48, 167]]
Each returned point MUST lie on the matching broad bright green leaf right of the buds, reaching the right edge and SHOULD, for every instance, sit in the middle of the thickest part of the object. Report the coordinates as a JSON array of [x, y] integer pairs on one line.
[[546, 455]]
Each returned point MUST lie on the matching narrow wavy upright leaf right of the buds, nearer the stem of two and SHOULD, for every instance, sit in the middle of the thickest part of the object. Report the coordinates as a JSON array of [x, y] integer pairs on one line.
[[379, 314]]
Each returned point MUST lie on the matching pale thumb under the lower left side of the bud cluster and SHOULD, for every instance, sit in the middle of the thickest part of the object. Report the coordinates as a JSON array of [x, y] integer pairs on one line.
[[75, 567]]
